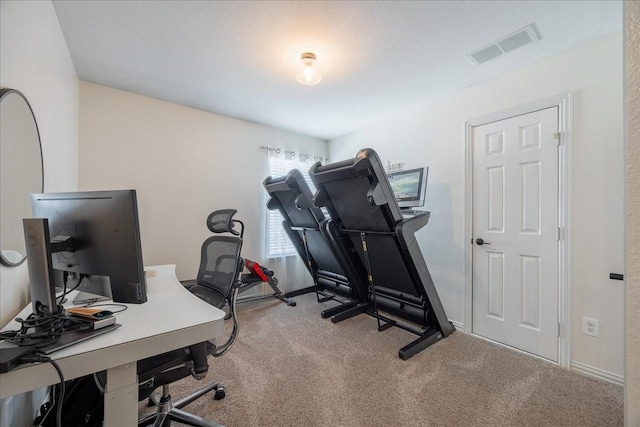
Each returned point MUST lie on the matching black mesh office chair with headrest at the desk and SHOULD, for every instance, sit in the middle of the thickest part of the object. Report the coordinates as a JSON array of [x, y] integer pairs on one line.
[[217, 283]]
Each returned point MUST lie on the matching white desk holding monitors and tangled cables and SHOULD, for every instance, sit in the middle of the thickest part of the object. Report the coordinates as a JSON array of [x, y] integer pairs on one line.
[[171, 318]]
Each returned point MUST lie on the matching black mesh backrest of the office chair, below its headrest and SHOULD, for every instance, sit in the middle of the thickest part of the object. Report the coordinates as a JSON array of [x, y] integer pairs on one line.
[[220, 263]]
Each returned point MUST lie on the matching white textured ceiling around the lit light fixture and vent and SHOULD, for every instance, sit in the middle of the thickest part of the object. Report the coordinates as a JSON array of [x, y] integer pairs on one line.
[[238, 58]]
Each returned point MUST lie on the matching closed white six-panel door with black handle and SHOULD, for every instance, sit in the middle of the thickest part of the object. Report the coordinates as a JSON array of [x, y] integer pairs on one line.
[[515, 216]]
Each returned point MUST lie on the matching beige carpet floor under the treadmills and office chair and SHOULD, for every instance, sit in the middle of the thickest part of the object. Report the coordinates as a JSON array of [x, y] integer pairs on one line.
[[290, 367]]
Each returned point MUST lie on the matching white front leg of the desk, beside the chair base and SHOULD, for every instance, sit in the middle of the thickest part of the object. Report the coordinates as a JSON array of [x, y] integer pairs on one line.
[[121, 396]]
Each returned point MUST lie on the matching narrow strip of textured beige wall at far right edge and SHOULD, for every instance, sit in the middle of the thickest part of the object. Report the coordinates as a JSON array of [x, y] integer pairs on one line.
[[632, 268]]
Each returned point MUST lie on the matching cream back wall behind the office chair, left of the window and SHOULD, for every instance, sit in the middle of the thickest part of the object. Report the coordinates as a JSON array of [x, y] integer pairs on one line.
[[184, 164]]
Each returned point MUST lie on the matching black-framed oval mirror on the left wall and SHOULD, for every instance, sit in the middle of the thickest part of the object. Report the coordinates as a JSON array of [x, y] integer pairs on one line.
[[21, 172]]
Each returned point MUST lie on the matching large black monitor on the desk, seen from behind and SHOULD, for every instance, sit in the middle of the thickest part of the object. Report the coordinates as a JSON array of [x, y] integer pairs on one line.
[[96, 234]]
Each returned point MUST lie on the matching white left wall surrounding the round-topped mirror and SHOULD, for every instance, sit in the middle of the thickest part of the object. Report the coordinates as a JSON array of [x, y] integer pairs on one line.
[[34, 59]]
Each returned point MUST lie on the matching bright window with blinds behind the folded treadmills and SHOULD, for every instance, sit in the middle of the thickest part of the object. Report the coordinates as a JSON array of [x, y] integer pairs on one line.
[[280, 163]]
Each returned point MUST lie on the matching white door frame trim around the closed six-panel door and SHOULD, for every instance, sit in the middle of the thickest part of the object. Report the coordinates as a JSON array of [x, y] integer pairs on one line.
[[563, 102]]
